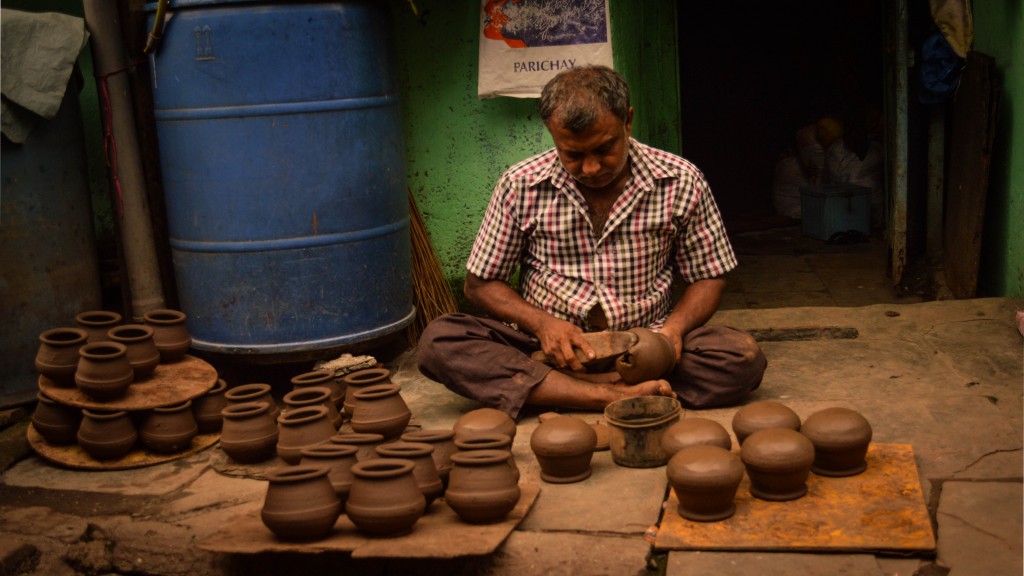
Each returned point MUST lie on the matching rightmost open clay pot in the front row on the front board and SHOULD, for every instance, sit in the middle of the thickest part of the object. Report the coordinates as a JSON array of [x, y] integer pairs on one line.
[[482, 488]]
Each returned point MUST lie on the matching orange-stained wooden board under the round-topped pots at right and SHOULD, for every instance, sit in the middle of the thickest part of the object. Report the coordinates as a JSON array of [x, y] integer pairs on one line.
[[881, 510]]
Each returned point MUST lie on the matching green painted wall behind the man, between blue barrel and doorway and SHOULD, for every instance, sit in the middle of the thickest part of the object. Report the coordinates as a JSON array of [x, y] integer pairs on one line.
[[457, 146]]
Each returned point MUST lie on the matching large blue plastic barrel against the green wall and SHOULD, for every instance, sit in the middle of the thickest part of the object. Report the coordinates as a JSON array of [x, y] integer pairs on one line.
[[283, 159]]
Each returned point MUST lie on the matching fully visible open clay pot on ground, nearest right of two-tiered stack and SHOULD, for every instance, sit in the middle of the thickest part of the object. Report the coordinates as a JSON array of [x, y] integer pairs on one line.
[[249, 434]]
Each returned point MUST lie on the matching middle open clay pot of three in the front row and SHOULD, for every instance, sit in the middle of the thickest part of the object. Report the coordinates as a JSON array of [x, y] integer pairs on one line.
[[386, 501]]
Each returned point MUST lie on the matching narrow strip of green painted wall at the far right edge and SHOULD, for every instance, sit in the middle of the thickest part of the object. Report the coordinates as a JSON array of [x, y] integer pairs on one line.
[[1000, 33]]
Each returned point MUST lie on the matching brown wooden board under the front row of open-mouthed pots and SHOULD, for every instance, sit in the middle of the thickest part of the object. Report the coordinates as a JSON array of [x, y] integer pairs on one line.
[[439, 534]]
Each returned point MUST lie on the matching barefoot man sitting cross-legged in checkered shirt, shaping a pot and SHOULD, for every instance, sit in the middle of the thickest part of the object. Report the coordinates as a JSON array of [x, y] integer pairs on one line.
[[595, 228]]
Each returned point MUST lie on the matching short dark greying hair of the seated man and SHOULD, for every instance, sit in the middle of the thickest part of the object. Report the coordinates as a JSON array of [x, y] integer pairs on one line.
[[577, 97]]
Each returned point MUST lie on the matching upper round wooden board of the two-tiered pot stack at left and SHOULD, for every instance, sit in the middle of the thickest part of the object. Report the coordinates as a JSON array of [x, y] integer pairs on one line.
[[170, 384]]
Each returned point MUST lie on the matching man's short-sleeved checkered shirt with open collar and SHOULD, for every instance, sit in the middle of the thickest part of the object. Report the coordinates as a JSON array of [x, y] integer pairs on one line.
[[666, 218]]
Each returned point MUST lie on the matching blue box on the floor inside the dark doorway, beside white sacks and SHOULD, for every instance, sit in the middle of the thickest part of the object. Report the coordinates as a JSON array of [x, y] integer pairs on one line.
[[829, 210]]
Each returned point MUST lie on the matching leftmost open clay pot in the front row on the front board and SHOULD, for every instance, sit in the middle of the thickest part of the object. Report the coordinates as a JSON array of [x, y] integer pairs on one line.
[[301, 504]]
